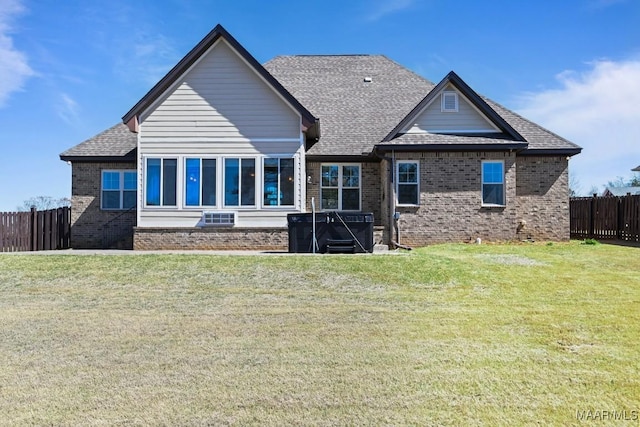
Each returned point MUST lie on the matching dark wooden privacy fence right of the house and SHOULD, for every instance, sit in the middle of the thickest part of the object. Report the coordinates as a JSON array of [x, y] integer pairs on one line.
[[606, 218]]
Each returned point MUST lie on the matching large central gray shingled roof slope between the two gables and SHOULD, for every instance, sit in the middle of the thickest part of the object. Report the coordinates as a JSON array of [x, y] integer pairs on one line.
[[355, 114]]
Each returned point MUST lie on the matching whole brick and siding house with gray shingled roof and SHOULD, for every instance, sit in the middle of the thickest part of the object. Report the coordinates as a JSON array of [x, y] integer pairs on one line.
[[222, 149]]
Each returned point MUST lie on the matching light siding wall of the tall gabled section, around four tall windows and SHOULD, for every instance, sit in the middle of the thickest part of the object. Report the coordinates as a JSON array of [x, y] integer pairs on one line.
[[220, 109]]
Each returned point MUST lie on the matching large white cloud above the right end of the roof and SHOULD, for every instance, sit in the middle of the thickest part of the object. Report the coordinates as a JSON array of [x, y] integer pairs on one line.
[[598, 109]]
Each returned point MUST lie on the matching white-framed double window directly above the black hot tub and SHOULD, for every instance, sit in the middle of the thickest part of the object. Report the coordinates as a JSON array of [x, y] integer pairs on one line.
[[340, 187]]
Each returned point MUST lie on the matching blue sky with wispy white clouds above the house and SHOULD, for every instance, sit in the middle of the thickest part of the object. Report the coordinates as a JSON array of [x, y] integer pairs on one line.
[[70, 69]]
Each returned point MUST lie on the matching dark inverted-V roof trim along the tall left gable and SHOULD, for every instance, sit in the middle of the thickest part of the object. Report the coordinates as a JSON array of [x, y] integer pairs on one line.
[[185, 64]]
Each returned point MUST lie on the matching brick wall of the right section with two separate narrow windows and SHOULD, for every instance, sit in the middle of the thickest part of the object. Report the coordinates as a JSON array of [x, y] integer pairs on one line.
[[450, 200]]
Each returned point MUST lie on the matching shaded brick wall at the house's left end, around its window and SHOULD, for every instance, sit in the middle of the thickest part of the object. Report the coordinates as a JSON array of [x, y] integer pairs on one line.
[[91, 227]]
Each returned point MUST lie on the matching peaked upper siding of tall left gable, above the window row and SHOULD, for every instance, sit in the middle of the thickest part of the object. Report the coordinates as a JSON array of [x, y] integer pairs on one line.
[[220, 97]]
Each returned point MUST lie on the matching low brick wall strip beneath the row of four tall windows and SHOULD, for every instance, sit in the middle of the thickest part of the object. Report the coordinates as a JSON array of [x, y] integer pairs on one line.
[[208, 238]]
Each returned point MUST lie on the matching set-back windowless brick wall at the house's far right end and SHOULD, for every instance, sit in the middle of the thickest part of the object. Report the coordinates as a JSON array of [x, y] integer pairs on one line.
[[542, 193]]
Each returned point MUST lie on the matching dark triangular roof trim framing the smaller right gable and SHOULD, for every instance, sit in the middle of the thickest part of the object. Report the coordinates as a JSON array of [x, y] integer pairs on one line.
[[452, 81]]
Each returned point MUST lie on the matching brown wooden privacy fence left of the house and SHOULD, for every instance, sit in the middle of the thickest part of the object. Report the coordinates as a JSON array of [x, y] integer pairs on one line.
[[35, 230]]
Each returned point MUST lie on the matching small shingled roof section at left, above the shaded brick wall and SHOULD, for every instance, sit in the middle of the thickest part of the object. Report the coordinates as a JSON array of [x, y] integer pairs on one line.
[[114, 144]]
